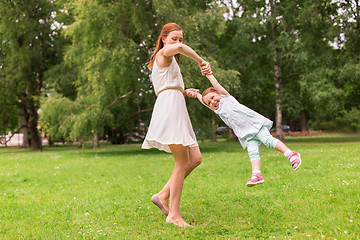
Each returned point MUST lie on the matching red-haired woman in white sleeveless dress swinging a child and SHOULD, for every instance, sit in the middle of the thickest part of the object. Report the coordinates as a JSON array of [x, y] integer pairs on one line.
[[170, 127]]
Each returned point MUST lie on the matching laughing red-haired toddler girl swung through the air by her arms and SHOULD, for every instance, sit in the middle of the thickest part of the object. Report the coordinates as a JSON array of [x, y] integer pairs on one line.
[[250, 127]]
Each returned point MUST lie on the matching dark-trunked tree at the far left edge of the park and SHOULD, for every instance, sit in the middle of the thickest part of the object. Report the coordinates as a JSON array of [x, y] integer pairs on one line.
[[27, 41]]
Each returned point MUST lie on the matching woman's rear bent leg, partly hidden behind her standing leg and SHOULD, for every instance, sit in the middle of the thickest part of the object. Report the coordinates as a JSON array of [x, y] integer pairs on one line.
[[195, 160]]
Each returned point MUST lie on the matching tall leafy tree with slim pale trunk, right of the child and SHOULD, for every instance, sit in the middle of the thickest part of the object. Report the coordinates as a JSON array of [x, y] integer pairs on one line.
[[283, 41]]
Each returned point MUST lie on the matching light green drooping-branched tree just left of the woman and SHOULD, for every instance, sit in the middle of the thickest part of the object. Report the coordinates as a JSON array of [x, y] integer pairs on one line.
[[106, 57]]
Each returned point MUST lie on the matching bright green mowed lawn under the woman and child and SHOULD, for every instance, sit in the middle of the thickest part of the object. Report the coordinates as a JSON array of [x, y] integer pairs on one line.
[[67, 193]]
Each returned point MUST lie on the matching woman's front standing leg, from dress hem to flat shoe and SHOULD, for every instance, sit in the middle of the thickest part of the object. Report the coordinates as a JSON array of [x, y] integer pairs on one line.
[[181, 155]]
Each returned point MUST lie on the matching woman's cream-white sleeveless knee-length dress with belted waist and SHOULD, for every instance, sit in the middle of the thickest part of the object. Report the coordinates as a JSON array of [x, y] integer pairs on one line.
[[170, 122]]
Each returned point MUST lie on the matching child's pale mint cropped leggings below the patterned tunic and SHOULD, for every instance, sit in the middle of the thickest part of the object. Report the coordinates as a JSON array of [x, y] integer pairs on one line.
[[253, 145]]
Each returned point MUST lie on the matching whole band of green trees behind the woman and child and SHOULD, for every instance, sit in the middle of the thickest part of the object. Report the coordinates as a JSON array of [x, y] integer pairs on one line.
[[75, 70]]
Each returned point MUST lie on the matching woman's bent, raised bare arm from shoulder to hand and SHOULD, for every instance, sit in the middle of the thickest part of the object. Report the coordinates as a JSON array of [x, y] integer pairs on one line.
[[179, 48]]
